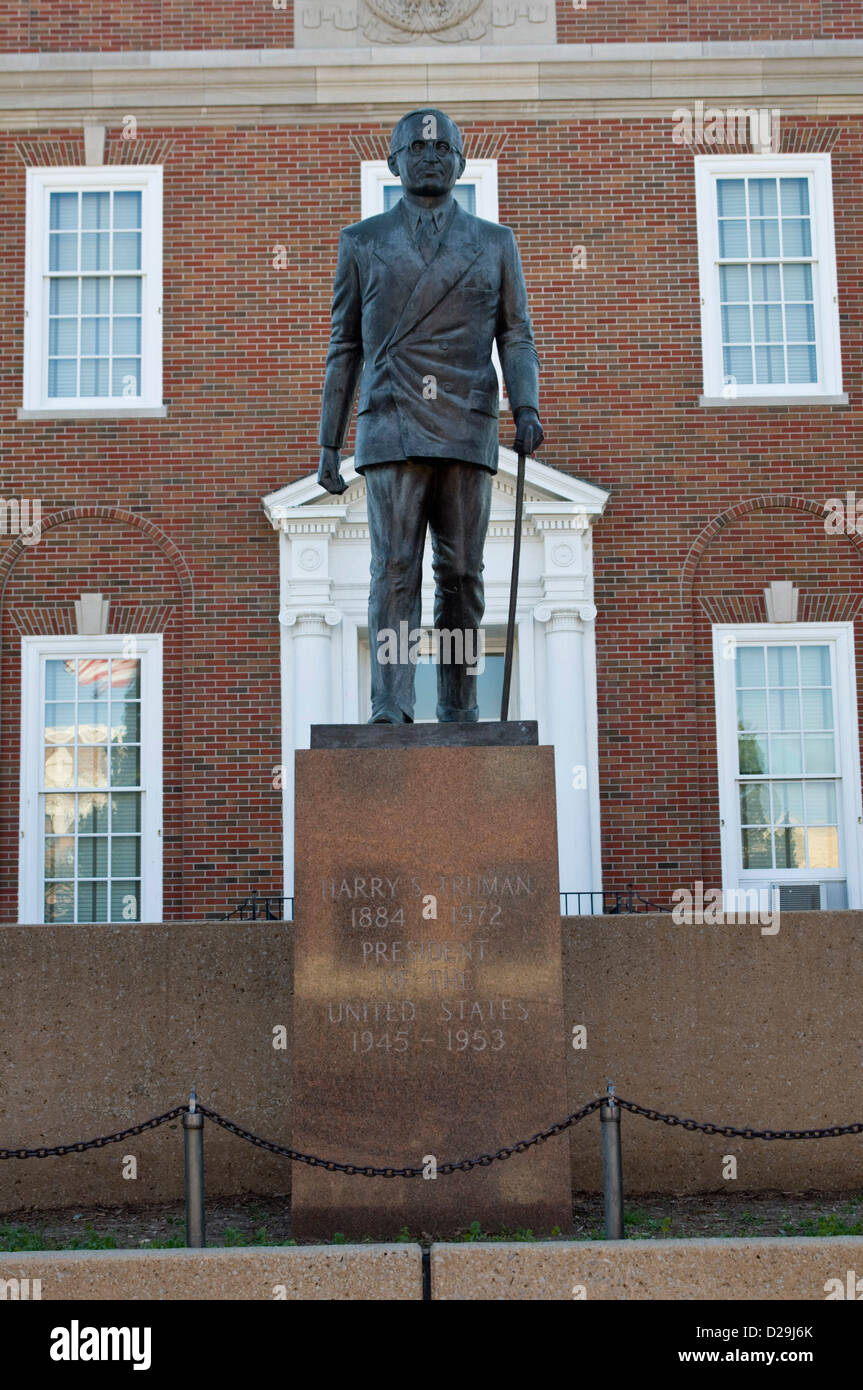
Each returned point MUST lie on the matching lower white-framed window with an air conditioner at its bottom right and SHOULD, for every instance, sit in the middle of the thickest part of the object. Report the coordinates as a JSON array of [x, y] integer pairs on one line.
[[789, 761]]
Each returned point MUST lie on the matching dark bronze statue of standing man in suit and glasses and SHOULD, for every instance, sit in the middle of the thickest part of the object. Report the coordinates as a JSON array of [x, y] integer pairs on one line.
[[422, 295]]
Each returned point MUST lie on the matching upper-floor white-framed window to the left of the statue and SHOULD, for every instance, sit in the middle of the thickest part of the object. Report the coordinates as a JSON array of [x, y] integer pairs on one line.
[[92, 332]]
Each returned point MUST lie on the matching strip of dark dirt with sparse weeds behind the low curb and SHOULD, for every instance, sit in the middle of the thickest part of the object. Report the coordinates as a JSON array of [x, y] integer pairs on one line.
[[266, 1221]]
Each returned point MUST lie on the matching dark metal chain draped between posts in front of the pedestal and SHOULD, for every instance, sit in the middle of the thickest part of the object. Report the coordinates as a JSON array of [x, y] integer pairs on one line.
[[462, 1166]]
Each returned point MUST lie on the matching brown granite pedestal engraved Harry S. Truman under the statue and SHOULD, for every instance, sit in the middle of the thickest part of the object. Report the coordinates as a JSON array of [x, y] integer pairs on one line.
[[429, 1020]]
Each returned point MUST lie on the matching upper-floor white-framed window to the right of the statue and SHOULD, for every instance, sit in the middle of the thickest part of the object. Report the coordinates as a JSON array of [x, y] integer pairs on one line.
[[771, 320]]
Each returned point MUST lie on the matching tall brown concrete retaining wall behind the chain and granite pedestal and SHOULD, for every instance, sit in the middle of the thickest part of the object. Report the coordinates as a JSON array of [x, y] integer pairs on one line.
[[108, 1025]]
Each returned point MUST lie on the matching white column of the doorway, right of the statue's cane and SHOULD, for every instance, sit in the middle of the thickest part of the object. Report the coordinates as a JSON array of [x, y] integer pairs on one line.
[[572, 710]]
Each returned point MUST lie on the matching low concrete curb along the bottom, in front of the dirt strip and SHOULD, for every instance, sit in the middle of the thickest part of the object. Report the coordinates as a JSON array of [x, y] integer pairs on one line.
[[583, 1271]]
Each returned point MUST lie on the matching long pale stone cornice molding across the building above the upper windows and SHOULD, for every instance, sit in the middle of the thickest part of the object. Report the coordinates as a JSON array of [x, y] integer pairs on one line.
[[819, 77]]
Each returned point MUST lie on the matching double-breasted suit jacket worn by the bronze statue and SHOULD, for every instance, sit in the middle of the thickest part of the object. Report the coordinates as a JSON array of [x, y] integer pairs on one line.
[[419, 340]]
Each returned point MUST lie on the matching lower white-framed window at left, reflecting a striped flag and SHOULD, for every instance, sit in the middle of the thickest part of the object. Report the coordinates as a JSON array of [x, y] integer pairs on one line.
[[91, 779]]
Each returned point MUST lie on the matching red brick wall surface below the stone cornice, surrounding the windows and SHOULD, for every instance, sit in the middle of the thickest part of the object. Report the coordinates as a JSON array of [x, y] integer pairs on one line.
[[245, 345]]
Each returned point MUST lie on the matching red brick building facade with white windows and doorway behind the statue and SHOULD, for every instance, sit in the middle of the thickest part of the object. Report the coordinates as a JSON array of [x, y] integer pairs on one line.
[[195, 167]]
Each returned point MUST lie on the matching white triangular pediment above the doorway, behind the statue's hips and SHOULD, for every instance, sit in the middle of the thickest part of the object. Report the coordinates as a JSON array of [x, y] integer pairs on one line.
[[547, 493]]
